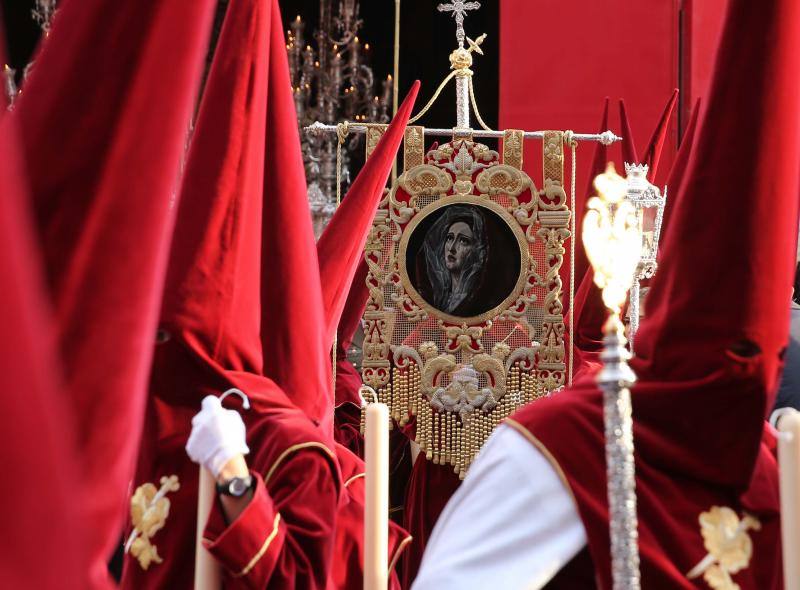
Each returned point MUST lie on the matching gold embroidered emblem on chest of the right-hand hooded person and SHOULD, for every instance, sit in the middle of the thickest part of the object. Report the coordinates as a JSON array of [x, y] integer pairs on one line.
[[728, 544]]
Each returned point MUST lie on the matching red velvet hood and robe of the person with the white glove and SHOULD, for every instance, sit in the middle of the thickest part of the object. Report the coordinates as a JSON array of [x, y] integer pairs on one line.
[[212, 339]]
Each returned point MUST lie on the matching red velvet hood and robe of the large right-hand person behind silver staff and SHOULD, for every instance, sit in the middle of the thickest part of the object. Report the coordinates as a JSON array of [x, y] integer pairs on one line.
[[710, 349]]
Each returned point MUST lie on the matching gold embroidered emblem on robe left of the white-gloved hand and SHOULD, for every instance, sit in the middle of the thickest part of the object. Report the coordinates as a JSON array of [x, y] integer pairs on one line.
[[149, 512]]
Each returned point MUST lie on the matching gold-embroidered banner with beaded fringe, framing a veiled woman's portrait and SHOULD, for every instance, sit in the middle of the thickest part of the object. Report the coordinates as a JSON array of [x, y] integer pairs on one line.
[[464, 322]]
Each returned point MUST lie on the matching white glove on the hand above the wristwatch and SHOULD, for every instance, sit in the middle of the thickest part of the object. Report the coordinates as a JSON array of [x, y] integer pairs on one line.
[[218, 435]]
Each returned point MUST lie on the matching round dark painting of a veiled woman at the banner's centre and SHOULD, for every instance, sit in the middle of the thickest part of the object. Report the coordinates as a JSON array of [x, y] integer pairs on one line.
[[463, 260]]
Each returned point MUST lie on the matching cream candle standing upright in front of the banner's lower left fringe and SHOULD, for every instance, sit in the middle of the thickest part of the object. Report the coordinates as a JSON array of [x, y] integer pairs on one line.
[[376, 513]]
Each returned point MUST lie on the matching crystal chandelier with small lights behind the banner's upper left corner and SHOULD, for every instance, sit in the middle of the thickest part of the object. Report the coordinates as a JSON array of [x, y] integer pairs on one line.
[[331, 83]]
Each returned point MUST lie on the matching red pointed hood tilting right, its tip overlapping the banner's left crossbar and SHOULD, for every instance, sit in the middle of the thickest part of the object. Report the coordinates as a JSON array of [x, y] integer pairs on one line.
[[341, 245]]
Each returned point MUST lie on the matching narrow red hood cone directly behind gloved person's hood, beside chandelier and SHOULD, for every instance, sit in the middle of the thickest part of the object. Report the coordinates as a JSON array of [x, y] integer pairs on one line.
[[296, 352]]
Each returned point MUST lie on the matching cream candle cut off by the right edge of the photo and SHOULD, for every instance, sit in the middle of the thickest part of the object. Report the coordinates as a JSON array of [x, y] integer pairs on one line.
[[789, 462]]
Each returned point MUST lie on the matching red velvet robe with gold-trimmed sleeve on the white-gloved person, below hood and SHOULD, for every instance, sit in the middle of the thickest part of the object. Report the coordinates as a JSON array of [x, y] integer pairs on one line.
[[285, 536]]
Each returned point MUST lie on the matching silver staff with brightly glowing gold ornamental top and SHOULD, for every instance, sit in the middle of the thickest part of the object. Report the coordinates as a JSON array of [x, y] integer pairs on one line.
[[613, 240]]
